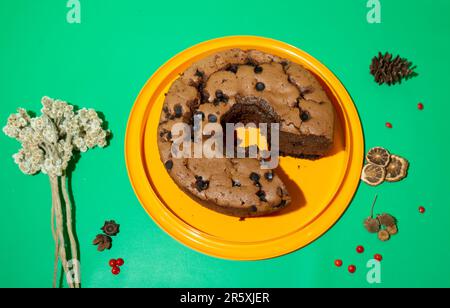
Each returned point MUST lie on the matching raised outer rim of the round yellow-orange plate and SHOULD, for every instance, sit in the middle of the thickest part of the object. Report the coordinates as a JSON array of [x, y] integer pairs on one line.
[[205, 243]]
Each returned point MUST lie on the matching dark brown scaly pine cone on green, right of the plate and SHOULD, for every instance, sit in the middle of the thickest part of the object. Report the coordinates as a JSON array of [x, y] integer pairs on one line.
[[391, 71]]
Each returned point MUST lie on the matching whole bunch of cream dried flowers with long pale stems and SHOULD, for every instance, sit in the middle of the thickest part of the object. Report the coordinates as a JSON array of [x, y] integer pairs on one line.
[[49, 142]]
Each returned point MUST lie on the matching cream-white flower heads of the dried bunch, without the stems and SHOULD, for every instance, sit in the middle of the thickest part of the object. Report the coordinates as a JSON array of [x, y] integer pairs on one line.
[[48, 141]]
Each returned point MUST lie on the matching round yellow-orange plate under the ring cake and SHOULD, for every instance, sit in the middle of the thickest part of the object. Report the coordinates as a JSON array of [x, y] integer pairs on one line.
[[321, 190]]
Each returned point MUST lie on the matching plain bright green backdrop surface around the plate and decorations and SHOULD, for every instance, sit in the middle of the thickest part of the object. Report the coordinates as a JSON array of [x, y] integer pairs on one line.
[[103, 63]]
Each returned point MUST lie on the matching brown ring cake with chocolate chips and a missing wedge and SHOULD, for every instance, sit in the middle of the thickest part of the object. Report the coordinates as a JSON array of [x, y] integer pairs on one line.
[[243, 86]]
